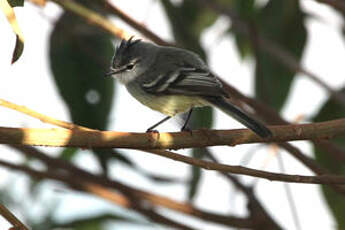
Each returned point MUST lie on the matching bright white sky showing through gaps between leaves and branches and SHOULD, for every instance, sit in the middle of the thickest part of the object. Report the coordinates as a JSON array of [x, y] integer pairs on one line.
[[28, 82]]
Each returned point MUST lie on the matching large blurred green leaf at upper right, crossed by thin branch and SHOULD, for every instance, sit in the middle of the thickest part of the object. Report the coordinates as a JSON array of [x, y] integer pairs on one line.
[[283, 23]]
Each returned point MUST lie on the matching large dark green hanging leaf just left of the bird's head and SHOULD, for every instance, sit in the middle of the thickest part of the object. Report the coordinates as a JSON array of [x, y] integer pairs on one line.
[[80, 55]]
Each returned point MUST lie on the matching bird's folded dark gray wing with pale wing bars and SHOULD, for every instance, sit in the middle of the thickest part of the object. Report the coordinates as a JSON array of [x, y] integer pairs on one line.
[[185, 81]]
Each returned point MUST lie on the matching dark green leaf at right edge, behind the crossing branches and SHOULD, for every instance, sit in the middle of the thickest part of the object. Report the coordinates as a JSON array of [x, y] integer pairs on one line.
[[329, 111]]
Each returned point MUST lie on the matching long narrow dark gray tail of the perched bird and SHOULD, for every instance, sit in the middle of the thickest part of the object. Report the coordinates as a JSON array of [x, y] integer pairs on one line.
[[240, 116]]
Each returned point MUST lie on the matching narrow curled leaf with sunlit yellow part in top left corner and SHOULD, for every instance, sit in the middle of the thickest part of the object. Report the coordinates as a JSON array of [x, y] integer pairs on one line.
[[11, 17]]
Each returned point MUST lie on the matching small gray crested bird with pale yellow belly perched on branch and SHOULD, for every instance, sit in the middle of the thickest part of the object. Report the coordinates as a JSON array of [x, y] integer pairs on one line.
[[173, 80]]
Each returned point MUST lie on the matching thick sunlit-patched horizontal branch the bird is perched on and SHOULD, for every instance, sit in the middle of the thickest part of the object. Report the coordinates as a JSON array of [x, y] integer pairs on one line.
[[177, 140]]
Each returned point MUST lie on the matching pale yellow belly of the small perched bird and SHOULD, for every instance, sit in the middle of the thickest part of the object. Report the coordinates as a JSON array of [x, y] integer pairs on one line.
[[170, 104]]
